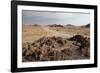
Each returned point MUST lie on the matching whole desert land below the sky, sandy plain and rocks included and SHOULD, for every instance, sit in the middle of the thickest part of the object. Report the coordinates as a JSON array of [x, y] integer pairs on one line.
[[55, 42]]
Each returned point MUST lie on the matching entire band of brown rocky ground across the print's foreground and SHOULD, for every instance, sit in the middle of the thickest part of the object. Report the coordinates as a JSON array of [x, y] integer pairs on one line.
[[57, 48]]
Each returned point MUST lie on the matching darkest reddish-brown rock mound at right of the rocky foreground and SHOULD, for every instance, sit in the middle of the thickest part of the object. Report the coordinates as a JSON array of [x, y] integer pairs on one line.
[[83, 43]]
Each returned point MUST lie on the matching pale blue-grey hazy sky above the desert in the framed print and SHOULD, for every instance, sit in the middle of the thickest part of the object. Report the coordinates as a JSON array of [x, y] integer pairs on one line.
[[37, 17]]
